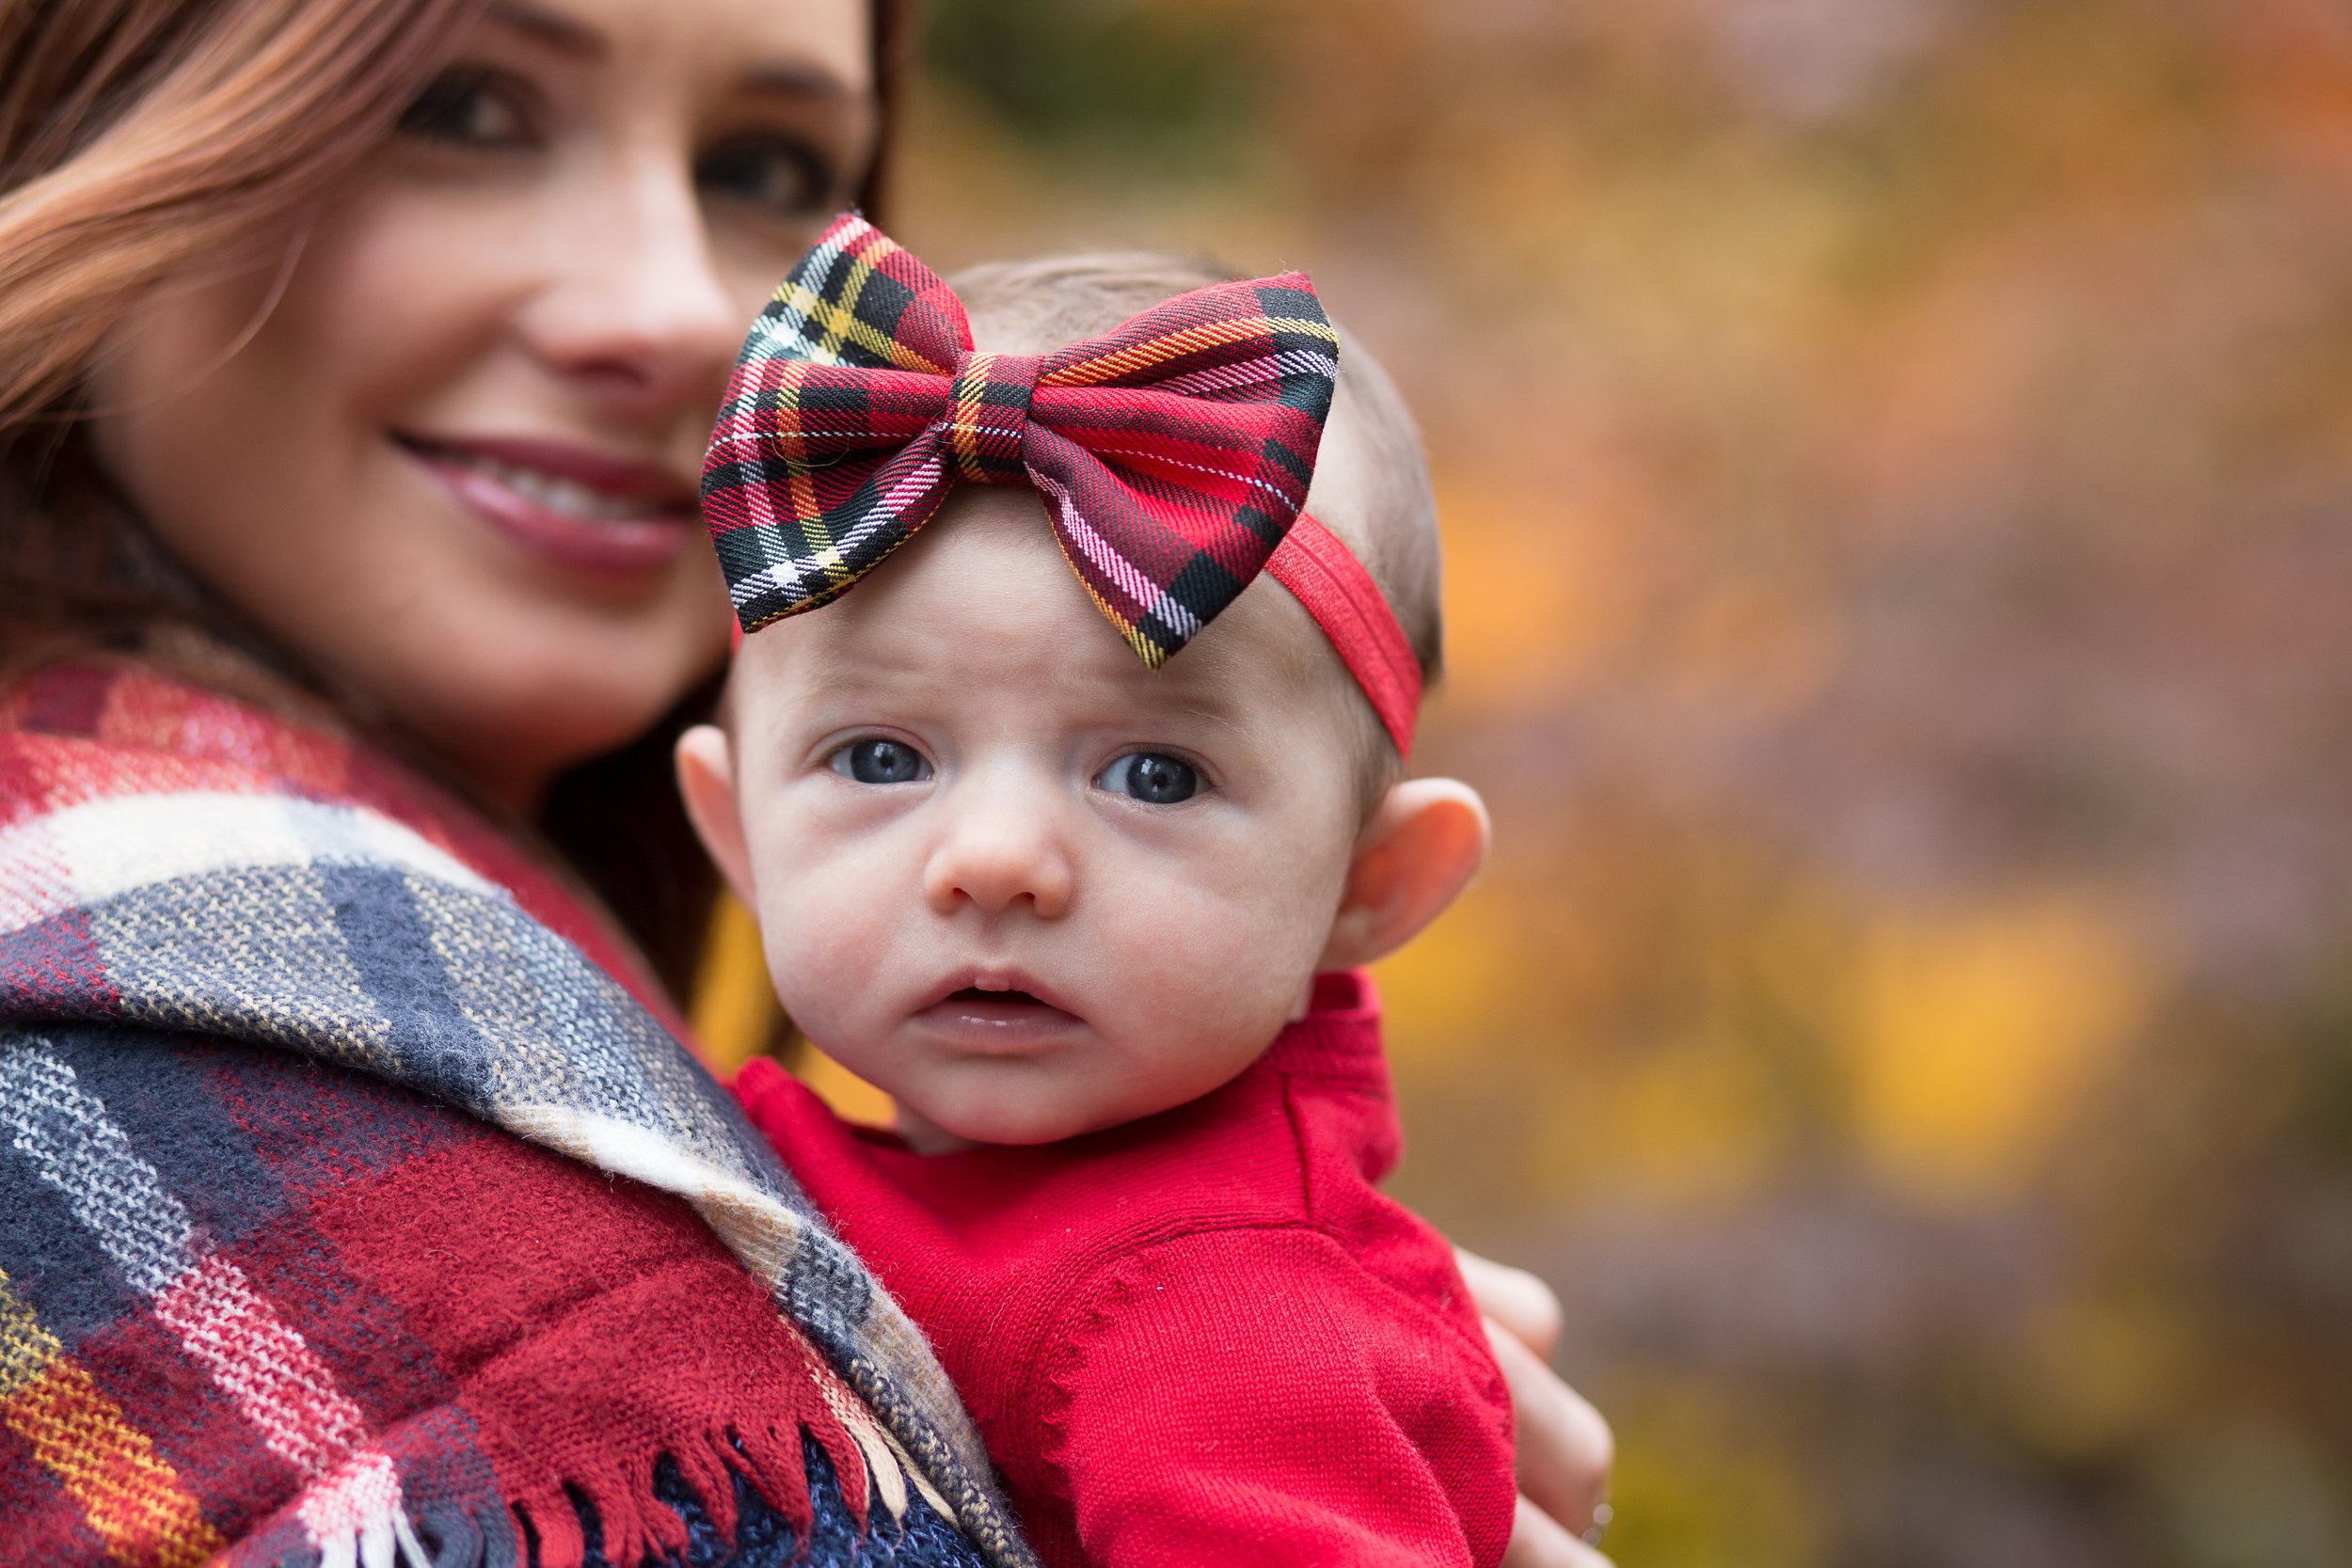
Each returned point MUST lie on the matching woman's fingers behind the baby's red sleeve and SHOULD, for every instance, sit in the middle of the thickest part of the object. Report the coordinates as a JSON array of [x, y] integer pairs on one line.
[[1565, 1447]]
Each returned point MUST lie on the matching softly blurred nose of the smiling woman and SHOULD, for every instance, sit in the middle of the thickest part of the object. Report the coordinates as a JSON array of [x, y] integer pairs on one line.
[[634, 304]]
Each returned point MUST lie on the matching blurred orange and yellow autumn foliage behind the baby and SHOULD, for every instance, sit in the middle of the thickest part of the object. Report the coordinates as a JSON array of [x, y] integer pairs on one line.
[[1897, 464]]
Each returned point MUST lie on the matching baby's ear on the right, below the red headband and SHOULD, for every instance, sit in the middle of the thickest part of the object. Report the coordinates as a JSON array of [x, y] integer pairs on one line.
[[1415, 857]]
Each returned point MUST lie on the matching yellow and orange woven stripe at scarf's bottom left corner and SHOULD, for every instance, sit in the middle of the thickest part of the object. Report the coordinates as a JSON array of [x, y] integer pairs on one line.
[[128, 1492]]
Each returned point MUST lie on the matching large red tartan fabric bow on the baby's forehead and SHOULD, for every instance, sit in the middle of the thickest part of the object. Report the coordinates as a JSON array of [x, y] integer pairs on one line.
[[1172, 453]]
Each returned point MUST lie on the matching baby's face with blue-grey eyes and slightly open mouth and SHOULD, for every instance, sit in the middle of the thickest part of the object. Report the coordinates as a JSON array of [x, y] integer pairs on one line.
[[1013, 876]]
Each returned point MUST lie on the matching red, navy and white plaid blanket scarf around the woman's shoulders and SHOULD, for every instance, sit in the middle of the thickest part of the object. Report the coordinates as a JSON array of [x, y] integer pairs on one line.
[[359, 1205]]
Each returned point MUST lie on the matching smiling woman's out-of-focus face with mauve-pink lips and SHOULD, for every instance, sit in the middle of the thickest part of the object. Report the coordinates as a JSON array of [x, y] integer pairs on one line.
[[457, 462]]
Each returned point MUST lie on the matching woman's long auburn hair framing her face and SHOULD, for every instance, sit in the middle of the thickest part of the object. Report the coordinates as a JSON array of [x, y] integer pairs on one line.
[[145, 140]]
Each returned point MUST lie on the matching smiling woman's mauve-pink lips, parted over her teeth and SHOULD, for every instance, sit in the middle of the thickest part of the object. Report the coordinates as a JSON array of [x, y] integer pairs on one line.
[[568, 504]]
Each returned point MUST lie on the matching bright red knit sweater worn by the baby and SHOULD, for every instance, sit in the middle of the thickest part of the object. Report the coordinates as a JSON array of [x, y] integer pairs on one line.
[[1196, 1339]]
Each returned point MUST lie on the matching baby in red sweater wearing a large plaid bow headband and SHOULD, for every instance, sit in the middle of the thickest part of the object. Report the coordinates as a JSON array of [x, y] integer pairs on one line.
[[1100, 925]]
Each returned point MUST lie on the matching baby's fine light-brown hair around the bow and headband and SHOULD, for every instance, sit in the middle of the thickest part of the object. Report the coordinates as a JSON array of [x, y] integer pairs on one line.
[[1372, 483]]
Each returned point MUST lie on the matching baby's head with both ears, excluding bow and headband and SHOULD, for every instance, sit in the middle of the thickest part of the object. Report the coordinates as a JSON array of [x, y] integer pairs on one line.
[[1029, 885]]
